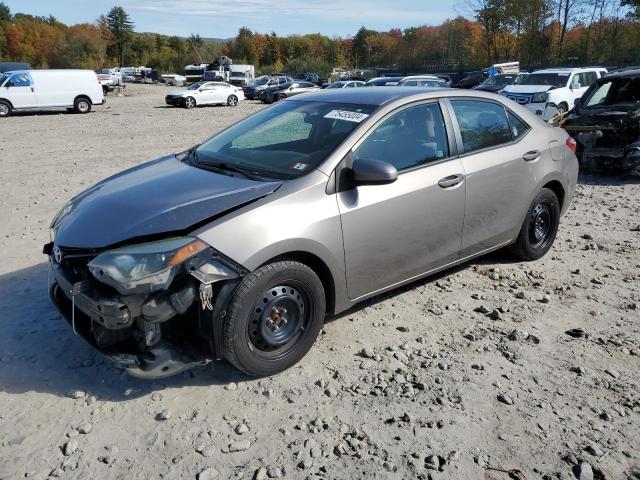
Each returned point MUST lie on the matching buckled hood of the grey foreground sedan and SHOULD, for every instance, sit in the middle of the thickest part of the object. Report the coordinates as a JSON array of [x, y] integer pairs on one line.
[[162, 196]]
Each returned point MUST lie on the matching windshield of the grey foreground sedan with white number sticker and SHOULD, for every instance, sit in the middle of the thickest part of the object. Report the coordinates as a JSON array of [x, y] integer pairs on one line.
[[286, 140]]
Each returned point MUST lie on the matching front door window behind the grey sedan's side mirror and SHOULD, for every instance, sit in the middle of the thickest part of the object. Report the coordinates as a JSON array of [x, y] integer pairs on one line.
[[409, 138]]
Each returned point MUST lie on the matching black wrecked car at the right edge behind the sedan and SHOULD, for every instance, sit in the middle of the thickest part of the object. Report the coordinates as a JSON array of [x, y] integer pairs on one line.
[[606, 124]]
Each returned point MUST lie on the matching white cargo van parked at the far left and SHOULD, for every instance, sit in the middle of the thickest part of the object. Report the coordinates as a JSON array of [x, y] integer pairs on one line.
[[75, 90]]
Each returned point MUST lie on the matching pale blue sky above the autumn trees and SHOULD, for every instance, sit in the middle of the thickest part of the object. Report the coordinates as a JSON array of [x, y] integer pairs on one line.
[[222, 18]]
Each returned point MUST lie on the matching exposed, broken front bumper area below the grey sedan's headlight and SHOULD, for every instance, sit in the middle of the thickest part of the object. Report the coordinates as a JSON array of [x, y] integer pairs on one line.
[[150, 335]]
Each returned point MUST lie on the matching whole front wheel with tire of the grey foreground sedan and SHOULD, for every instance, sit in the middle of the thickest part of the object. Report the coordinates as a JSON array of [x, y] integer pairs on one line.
[[259, 299]]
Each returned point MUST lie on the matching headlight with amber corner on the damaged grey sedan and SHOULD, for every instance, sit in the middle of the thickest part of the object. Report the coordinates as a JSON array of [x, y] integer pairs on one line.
[[146, 267]]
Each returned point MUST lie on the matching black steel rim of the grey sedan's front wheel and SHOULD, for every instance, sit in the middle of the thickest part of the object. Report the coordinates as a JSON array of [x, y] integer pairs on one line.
[[278, 318]]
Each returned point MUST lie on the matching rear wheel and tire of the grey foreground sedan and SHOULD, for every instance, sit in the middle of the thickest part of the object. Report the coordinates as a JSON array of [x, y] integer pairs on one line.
[[540, 227]]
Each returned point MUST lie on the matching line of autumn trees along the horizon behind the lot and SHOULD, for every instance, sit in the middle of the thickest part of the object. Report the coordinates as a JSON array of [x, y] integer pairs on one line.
[[535, 32]]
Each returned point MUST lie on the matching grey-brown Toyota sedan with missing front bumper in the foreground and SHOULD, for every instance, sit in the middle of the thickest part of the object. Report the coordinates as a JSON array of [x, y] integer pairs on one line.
[[240, 247]]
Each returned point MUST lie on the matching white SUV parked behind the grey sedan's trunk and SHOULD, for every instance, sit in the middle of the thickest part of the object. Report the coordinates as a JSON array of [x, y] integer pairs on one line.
[[557, 88]]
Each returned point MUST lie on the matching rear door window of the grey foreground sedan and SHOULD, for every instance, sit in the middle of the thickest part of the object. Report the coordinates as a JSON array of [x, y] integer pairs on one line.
[[482, 124]]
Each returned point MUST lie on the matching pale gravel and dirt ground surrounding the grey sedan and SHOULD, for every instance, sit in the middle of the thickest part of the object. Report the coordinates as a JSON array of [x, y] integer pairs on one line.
[[442, 379]]
